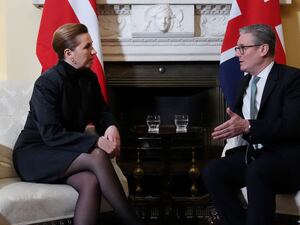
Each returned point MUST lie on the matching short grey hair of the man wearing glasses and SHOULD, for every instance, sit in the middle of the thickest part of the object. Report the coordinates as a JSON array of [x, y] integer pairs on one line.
[[263, 34]]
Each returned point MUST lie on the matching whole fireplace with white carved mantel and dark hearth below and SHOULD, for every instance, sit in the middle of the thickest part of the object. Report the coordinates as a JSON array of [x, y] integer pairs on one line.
[[166, 72]]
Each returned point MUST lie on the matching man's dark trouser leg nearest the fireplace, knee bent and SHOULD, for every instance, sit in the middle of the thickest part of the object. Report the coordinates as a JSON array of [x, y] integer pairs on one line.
[[223, 178]]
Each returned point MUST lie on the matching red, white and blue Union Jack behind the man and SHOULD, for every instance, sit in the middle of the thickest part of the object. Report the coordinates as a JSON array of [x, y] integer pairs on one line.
[[244, 13]]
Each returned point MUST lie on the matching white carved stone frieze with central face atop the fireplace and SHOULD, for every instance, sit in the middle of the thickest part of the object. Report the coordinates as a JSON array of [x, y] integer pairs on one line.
[[164, 20]]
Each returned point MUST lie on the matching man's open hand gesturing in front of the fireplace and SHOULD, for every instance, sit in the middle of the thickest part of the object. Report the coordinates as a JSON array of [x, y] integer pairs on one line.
[[235, 126]]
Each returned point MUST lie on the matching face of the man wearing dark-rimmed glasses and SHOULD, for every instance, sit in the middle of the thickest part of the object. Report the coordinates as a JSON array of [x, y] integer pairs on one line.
[[249, 53]]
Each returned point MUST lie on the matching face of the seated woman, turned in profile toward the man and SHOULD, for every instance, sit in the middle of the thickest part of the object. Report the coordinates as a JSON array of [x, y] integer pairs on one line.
[[82, 56]]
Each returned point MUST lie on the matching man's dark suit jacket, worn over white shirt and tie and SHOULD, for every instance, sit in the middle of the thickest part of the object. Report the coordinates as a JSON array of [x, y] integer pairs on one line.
[[278, 121]]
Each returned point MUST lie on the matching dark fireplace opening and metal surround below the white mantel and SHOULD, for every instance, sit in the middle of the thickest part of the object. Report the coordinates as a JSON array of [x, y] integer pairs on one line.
[[137, 89]]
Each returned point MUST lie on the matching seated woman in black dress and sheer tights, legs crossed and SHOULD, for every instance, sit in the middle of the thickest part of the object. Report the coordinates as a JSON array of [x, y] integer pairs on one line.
[[53, 148]]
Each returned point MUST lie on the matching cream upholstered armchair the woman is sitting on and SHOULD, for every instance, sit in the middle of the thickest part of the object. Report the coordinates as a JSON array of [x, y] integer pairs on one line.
[[24, 202]]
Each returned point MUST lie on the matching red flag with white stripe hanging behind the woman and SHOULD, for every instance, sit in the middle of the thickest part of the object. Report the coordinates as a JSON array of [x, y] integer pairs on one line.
[[59, 12]]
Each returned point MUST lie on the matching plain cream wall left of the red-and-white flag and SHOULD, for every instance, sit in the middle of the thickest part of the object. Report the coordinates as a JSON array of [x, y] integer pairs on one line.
[[19, 24]]
